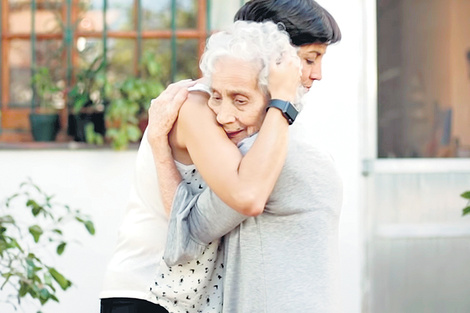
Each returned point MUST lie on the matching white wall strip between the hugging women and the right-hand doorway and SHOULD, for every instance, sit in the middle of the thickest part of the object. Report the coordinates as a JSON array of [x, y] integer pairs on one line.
[[335, 119]]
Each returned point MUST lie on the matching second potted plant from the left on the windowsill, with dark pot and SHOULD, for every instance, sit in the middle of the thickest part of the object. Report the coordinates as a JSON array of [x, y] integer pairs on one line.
[[87, 101]]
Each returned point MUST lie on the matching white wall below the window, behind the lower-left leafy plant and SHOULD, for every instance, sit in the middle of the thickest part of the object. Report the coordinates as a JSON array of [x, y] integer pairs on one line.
[[95, 181]]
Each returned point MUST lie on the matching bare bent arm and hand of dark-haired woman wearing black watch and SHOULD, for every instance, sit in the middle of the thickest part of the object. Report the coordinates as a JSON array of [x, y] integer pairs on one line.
[[244, 183]]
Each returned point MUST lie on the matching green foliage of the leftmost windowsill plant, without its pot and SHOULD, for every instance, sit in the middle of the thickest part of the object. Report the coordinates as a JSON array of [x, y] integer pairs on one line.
[[47, 90]]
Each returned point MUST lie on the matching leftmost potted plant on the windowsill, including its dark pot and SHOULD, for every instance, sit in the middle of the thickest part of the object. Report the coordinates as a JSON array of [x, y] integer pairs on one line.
[[44, 118]]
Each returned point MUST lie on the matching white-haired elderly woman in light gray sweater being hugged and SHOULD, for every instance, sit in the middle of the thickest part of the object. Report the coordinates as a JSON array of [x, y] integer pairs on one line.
[[285, 259]]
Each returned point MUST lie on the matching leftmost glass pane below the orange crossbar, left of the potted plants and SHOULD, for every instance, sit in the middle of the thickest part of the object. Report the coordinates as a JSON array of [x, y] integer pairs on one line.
[[20, 73]]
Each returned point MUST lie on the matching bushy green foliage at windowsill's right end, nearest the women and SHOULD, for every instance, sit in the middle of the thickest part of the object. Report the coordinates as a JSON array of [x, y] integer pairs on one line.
[[131, 102]]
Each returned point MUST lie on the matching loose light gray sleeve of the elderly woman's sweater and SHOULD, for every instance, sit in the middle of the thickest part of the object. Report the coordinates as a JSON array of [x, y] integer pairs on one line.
[[195, 221]]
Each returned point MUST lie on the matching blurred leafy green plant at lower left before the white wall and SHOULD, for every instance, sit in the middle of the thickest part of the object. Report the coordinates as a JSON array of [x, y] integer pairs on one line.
[[31, 226]]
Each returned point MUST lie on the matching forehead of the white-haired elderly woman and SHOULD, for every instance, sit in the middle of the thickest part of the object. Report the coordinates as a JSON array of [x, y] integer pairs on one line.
[[232, 74]]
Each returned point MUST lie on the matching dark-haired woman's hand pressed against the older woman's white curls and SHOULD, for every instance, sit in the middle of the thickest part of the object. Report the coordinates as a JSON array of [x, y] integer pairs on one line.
[[284, 76]]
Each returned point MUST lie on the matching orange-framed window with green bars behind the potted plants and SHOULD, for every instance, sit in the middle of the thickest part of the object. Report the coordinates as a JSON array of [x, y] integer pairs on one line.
[[67, 36]]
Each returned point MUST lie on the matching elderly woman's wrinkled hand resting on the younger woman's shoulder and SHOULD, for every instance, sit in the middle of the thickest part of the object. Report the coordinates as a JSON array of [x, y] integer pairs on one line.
[[164, 109]]
